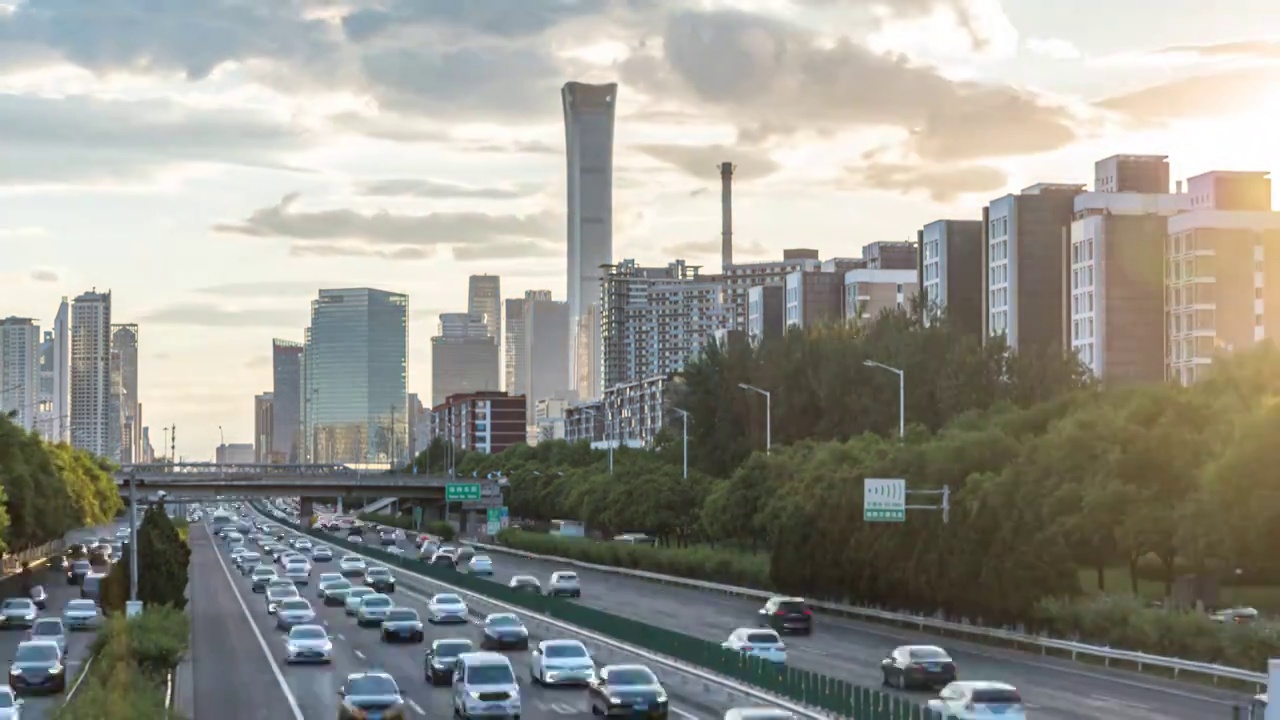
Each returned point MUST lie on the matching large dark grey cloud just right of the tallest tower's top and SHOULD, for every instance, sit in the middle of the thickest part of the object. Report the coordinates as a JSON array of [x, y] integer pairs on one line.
[[770, 78]]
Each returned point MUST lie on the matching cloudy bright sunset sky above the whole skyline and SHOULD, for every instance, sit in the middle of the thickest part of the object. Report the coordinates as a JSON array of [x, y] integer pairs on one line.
[[213, 163]]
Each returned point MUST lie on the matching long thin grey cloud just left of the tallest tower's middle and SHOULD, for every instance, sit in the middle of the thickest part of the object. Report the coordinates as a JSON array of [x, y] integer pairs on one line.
[[322, 233]]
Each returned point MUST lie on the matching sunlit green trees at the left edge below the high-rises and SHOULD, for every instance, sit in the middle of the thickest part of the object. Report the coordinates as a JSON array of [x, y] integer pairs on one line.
[[49, 490]]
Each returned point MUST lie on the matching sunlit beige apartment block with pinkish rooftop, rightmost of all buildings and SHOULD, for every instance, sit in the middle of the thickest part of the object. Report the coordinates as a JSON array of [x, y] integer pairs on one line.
[[1222, 272]]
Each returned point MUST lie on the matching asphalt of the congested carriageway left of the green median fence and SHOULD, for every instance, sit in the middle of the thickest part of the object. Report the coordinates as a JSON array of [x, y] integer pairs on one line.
[[239, 655]]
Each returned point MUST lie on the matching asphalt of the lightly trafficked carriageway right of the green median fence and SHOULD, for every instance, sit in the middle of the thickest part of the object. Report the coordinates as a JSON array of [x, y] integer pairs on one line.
[[1055, 690]]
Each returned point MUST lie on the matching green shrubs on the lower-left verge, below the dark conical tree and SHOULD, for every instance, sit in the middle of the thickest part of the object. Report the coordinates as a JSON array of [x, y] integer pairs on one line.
[[131, 664]]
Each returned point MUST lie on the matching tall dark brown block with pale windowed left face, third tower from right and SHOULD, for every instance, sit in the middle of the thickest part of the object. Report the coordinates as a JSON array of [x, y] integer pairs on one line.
[[1025, 261]]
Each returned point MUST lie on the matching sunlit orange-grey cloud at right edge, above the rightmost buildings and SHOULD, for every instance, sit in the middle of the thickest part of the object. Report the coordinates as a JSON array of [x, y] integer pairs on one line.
[[1201, 97]]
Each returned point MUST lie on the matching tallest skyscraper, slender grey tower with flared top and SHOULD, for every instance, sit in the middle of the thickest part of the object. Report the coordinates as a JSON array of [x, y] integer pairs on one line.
[[589, 112]]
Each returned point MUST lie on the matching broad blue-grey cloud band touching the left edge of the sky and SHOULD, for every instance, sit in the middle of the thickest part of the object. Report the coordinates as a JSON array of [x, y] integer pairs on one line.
[[57, 140]]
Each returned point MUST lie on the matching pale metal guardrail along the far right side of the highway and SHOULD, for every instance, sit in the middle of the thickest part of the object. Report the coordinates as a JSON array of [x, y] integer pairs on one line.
[[1044, 644]]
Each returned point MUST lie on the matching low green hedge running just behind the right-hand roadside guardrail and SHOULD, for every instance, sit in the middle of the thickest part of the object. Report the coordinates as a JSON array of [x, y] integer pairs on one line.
[[1121, 622]]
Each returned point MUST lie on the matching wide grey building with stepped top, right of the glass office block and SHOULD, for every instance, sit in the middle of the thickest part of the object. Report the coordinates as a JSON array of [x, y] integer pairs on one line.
[[465, 358]]
